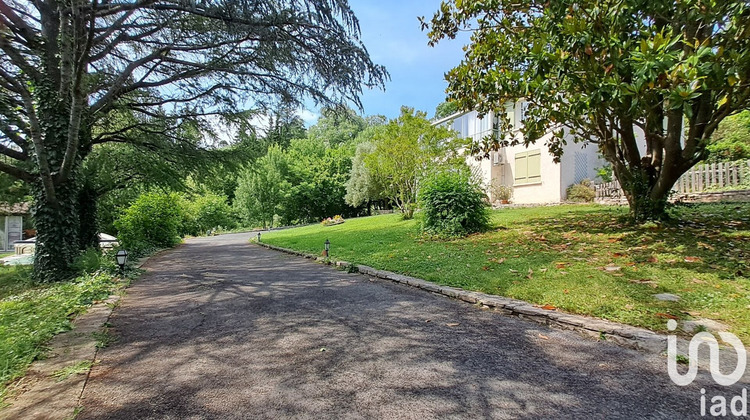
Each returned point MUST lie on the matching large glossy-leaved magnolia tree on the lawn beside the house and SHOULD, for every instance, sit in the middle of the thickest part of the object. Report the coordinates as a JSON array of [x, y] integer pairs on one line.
[[614, 73]]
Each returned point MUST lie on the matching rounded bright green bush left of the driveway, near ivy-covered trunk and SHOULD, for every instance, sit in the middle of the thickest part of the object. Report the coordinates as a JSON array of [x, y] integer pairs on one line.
[[153, 221]]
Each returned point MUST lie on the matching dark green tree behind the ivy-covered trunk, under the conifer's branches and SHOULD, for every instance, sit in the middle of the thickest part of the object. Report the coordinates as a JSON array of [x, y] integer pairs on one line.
[[144, 159]]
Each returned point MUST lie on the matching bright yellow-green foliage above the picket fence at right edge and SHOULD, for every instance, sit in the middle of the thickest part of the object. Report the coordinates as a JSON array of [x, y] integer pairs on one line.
[[731, 140]]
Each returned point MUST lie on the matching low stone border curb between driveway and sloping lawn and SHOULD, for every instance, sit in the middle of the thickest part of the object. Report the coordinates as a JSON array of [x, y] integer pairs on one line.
[[621, 334]]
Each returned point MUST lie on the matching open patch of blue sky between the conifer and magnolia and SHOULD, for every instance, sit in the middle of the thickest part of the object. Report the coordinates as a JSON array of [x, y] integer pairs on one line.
[[391, 33]]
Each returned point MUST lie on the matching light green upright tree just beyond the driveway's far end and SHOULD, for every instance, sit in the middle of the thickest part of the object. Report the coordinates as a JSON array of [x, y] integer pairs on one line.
[[261, 188]]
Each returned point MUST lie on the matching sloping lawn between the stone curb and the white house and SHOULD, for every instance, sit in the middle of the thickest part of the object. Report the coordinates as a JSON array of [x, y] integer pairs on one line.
[[581, 259]]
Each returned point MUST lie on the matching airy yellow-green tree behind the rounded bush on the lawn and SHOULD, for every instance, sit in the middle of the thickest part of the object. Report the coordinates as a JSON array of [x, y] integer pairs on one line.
[[406, 150]]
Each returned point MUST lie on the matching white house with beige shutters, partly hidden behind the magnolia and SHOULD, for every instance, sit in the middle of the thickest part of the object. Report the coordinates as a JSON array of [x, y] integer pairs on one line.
[[530, 171]]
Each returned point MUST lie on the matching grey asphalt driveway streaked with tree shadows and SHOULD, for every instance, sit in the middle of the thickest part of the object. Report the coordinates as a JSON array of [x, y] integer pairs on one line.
[[219, 328]]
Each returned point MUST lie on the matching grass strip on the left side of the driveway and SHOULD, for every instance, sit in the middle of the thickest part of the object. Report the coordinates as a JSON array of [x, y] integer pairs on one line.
[[31, 314]]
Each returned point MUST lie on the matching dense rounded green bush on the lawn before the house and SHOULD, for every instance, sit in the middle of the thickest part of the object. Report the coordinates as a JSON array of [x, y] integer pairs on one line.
[[452, 205]]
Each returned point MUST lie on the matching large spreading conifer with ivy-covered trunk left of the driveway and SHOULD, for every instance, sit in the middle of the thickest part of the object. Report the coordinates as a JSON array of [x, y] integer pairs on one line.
[[67, 67]]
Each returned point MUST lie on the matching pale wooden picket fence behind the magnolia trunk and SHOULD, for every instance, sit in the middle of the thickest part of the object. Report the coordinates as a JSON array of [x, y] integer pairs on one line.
[[701, 178]]
